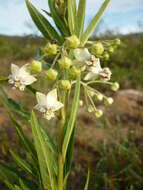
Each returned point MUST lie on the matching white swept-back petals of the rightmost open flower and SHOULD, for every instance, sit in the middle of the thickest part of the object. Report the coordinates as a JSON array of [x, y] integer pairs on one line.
[[94, 71]]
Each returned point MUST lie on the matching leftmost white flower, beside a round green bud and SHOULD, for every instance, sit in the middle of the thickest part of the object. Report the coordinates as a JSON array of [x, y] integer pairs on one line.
[[20, 77]]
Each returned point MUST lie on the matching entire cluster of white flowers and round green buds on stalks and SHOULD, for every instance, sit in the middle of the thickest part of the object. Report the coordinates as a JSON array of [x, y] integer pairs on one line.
[[65, 64]]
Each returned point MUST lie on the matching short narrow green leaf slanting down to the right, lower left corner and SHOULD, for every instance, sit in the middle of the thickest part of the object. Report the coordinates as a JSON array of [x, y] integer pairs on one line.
[[21, 163]]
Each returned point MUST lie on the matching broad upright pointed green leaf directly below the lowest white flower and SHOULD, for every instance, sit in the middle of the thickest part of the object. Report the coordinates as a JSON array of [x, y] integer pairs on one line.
[[43, 152]]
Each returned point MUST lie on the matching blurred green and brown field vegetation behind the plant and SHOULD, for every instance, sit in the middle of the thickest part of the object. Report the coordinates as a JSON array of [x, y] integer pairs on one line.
[[111, 147]]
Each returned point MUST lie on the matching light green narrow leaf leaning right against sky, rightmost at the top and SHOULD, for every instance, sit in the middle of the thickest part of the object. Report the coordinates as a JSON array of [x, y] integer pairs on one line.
[[94, 22]]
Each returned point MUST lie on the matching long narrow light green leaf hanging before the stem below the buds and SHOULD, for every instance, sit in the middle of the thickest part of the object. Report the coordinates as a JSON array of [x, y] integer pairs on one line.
[[71, 123]]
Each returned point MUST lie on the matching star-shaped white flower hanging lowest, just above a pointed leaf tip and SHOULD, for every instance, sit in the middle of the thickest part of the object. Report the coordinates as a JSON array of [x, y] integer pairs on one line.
[[48, 104]]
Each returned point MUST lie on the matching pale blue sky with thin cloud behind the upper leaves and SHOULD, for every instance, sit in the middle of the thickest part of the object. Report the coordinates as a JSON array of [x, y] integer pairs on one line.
[[122, 16]]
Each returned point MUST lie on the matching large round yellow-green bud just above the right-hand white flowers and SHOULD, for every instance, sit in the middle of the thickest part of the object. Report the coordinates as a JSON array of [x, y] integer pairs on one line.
[[97, 49]]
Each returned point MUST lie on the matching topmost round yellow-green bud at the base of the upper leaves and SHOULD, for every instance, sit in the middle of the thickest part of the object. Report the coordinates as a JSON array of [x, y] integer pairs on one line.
[[72, 42]]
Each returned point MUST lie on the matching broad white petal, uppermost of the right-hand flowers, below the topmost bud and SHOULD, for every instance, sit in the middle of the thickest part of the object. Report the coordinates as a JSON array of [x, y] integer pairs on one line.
[[82, 54]]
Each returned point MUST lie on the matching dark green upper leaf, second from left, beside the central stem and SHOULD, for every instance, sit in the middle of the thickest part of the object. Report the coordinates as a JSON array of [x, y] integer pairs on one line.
[[58, 19]]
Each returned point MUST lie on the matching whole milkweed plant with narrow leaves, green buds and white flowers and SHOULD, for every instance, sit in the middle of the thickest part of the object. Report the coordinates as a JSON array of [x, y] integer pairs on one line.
[[72, 63]]
